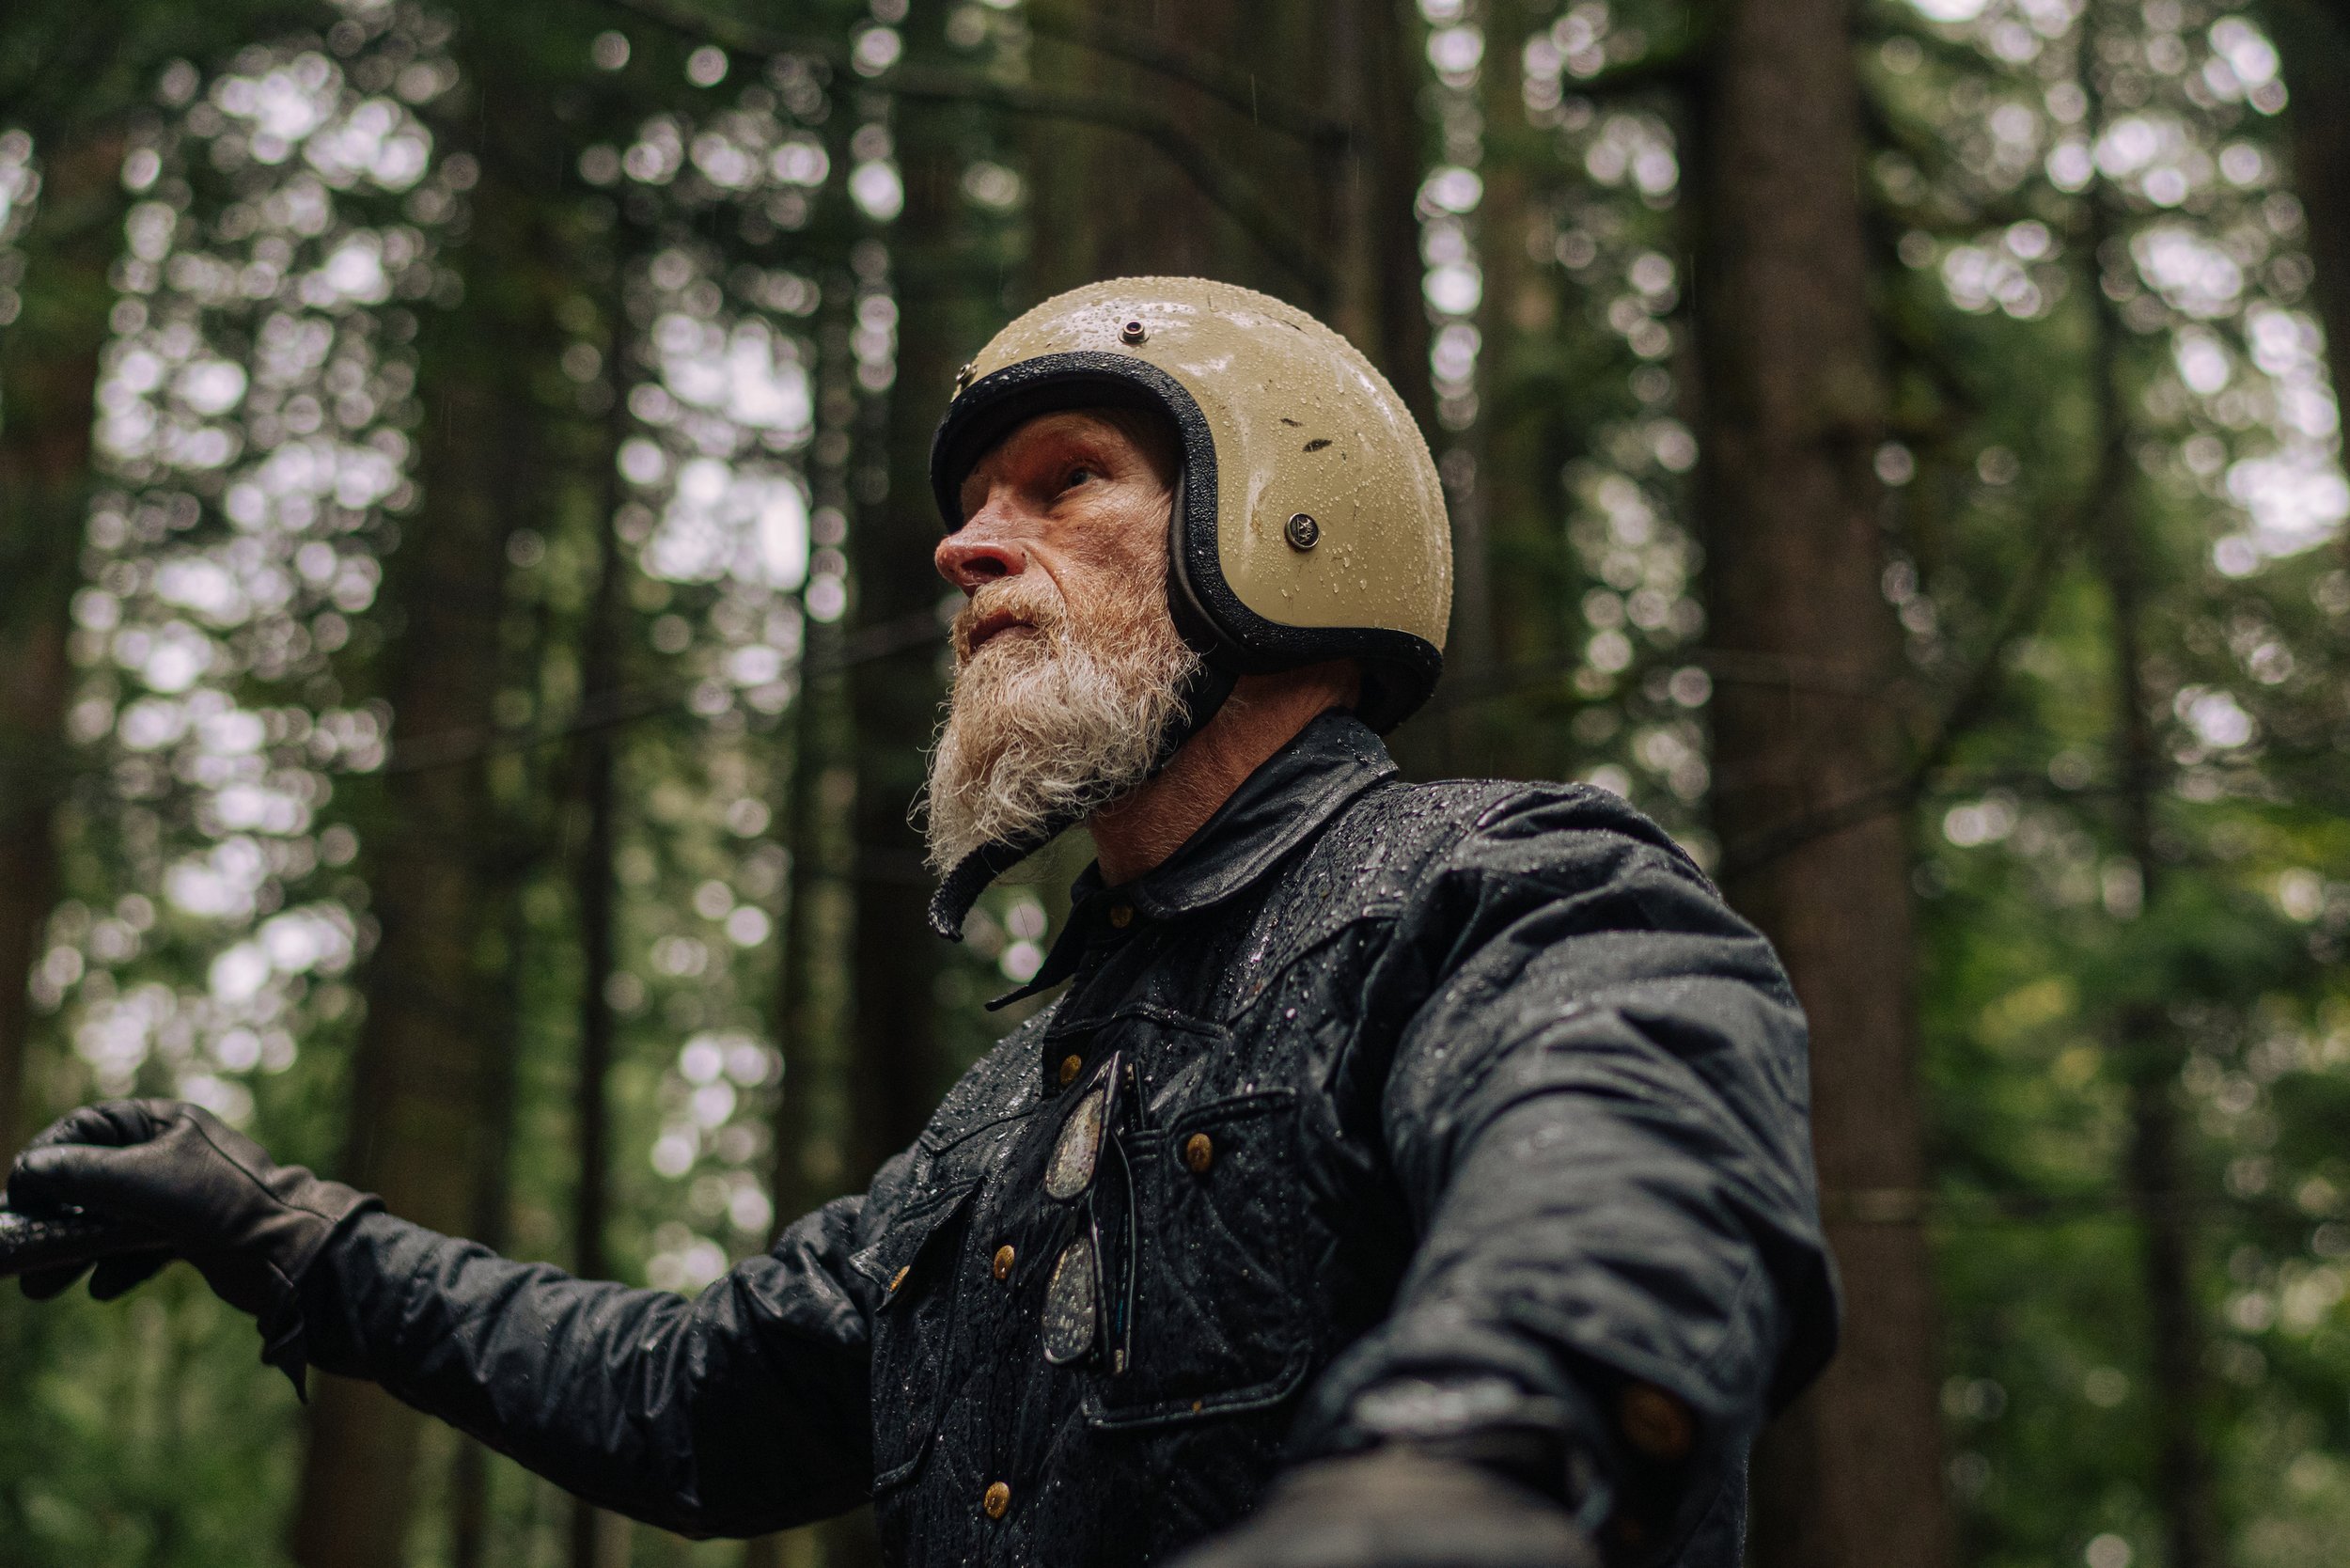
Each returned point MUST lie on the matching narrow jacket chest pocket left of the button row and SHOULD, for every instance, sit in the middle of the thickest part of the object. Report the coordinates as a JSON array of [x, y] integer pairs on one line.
[[915, 1266]]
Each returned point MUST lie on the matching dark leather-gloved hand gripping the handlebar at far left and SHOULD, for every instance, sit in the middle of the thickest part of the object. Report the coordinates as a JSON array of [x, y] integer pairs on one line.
[[208, 1191]]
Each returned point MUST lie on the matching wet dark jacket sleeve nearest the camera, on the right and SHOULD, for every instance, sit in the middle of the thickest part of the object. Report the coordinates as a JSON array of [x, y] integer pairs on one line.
[[1599, 1120]]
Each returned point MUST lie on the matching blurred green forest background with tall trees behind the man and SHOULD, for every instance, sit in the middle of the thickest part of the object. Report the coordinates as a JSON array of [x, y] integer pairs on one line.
[[469, 638]]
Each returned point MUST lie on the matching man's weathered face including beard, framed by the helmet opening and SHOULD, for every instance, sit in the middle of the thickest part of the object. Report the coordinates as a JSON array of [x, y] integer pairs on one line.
[[1066, 659]]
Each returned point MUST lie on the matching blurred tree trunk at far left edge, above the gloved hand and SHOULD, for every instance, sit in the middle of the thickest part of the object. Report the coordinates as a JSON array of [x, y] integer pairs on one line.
[[48, 380]]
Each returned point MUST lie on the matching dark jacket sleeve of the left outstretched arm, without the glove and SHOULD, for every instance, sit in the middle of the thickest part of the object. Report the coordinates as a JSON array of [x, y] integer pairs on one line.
[[732, 1414]]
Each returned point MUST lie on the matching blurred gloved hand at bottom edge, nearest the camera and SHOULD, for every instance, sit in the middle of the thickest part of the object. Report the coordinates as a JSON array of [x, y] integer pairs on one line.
[[1399, 1508]]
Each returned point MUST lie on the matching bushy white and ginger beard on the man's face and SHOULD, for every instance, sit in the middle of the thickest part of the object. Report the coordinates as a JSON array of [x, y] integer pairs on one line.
[[1056, 723]]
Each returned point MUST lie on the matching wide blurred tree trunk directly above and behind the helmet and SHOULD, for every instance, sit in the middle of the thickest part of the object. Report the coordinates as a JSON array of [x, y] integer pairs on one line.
[[1301, 107]]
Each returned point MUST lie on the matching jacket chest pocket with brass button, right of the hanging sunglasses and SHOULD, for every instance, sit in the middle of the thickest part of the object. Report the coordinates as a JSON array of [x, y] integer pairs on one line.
[[1218, 1287]]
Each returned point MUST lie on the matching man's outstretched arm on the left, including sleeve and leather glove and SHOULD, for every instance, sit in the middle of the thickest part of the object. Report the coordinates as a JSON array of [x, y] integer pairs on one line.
[[732, 1414]]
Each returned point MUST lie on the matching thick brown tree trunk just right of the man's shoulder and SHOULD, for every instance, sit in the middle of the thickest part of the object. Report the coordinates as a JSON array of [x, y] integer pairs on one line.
[[1792, 413]]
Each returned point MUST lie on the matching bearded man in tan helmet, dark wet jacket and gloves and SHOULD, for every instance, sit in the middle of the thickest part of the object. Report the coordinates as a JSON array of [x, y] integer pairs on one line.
[[1406, 1177]]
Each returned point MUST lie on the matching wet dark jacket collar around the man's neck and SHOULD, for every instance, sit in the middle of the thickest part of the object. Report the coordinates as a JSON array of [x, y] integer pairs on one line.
[[1282, 805]]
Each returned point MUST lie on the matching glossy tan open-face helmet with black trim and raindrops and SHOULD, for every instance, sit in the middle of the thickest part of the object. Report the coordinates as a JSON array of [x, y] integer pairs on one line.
[[1308, 525]]
